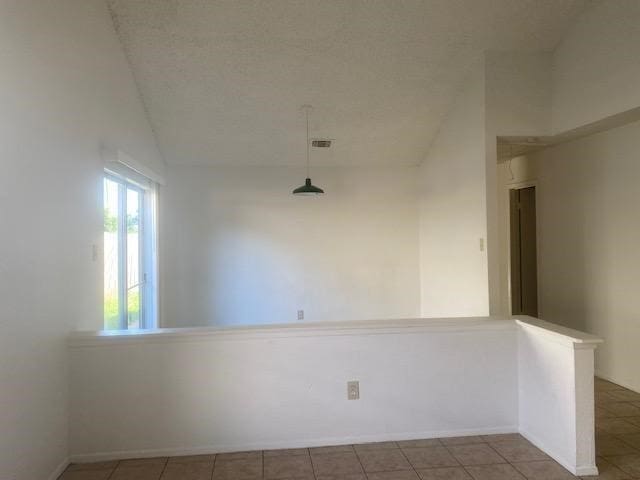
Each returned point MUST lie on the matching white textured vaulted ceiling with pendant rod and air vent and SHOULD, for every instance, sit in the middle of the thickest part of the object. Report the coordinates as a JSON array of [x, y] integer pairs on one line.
[[223, 80]]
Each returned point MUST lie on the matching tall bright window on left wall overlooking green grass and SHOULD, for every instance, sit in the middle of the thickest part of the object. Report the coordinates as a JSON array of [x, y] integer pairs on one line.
[[129, 253]]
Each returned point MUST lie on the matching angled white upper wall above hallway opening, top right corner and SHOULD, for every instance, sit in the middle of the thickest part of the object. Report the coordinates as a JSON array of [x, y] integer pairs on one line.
[[596, 68]]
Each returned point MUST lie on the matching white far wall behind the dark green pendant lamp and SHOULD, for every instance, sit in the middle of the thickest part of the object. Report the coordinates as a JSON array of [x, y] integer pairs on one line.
[[239, 249]]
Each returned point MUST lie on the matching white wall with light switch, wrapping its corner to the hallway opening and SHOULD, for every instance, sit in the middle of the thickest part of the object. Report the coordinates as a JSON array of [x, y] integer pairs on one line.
[[508, 94]]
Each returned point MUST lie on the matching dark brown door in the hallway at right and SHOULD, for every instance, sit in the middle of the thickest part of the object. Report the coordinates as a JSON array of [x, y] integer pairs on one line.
[[524, 271]]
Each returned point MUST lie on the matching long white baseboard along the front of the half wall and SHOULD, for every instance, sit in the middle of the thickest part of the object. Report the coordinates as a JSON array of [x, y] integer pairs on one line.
[[274, 445]]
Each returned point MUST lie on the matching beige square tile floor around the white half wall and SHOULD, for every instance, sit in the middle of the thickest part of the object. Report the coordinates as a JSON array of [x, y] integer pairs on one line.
[[491, 457]]
